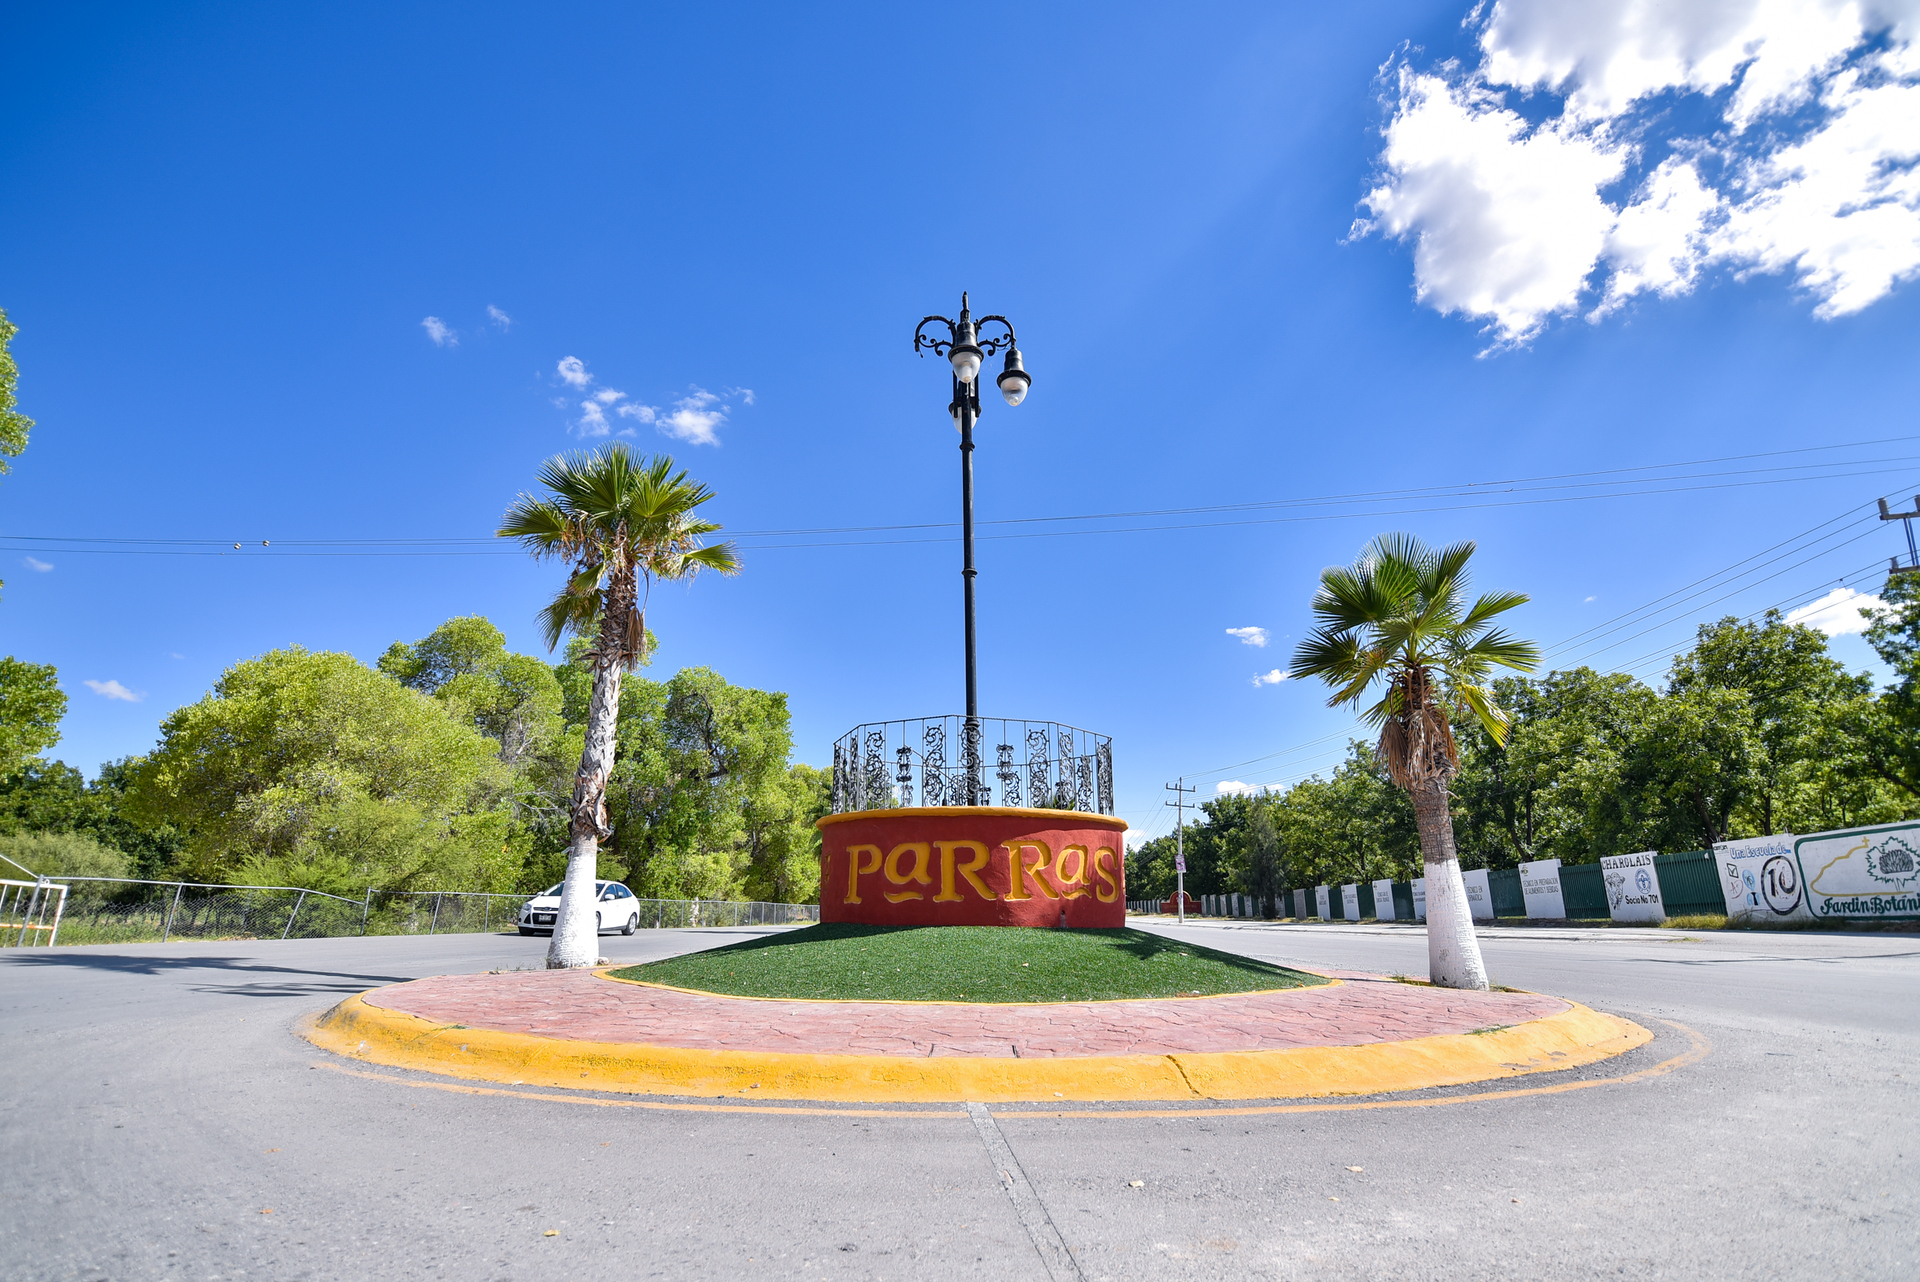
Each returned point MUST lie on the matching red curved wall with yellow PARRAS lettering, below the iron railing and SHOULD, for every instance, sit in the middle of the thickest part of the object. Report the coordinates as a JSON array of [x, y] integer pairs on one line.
[[972, 867]]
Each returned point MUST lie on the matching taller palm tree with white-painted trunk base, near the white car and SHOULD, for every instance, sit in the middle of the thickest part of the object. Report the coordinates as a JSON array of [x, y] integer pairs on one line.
[[623, 523]]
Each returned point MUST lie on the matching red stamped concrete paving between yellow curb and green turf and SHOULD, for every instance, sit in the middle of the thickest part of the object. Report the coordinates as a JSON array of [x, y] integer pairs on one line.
[[583, 1007]]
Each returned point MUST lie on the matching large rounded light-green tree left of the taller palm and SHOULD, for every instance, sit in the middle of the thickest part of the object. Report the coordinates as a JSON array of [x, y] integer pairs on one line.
[[302, 767]]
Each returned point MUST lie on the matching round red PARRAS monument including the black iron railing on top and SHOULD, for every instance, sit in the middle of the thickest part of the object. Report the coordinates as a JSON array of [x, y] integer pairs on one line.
[[957, 859]]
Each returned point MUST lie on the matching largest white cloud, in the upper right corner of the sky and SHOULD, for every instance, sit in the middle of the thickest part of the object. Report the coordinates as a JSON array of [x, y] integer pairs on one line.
[[1802, 160]]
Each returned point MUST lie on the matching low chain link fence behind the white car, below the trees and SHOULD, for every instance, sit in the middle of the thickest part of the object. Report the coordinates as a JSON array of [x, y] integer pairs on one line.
[[116, 911]]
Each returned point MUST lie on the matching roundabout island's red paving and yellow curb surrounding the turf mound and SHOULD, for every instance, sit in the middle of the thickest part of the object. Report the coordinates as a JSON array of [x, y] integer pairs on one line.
[[1295, 1035]]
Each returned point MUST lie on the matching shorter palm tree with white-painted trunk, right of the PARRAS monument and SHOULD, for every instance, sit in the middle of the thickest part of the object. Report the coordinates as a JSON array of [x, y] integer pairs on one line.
[[1401, 617]]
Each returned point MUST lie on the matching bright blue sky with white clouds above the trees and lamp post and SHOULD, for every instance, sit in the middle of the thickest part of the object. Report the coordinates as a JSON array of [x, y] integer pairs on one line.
[[1257, 254]]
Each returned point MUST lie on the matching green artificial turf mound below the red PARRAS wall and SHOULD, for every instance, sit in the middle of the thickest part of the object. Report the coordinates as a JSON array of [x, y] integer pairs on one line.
[[967, 964]]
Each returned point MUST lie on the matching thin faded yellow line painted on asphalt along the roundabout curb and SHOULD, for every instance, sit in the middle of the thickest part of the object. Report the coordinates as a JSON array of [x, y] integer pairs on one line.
[[1694, 1055]]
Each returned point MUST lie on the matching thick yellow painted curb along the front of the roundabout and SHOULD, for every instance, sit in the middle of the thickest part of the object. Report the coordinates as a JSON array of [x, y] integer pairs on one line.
[[1572, 1039]]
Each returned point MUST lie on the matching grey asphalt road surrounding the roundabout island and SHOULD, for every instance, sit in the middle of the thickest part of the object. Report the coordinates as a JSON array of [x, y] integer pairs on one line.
[[164, 1122]]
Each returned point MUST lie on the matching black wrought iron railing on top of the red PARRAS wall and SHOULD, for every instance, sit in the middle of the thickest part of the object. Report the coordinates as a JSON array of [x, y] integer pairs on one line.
[[946, 761]]
